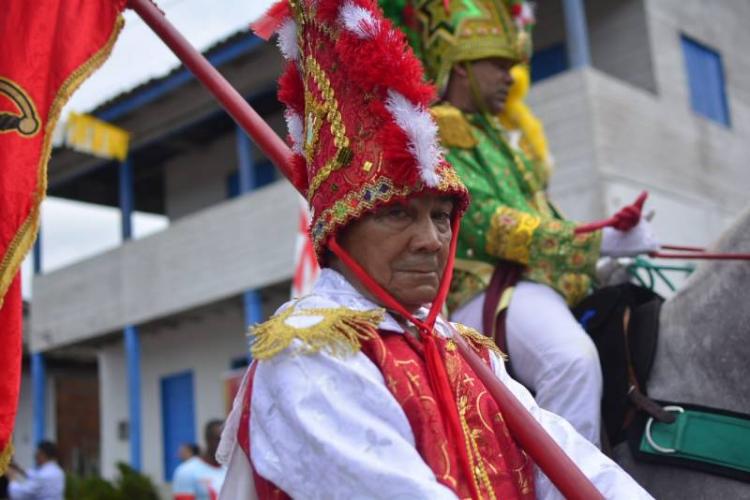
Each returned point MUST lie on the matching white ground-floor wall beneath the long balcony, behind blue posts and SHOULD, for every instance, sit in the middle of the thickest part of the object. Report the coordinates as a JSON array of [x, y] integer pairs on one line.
[[204, 341]]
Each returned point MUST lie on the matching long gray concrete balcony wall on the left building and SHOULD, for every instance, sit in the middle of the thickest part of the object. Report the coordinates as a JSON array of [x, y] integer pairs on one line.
[[241, 244]]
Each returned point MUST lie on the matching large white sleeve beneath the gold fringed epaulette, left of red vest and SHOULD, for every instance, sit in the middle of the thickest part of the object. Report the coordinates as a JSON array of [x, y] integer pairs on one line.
[[323, 427]]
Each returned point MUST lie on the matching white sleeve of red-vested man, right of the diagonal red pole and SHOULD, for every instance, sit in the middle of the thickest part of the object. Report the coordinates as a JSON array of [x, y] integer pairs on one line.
[[607, 476]]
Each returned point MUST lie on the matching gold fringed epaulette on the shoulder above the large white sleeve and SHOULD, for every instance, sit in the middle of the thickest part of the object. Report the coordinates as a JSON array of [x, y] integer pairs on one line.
[[339, 331]]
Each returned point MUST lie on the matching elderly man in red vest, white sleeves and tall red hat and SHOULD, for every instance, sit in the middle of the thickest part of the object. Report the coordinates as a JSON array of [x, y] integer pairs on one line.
[[358, 390]]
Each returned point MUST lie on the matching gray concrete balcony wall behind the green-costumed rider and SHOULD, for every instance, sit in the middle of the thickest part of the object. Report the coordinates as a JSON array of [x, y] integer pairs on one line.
[[638, 140]]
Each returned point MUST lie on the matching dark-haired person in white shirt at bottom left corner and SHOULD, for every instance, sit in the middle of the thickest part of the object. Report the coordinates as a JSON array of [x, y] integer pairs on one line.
[[45, 482]]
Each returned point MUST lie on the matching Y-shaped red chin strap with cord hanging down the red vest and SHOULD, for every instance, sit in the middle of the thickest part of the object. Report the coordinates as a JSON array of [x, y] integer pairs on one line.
[[436, 372]]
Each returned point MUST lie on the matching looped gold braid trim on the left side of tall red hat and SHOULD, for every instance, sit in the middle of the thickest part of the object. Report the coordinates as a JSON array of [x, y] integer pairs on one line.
[[326, 111]]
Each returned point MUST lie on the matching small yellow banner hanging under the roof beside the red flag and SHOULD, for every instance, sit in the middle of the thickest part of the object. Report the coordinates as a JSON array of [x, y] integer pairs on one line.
[[90, 135]]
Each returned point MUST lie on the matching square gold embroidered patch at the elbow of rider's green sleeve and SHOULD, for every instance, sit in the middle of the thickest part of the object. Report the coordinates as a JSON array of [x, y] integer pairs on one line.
[[510, 234]]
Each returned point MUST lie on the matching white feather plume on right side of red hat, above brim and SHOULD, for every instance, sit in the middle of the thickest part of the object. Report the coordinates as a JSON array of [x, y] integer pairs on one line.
[[422, 132]]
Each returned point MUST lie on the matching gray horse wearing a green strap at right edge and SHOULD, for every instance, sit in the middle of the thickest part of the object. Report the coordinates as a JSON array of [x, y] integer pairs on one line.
[[702, 357]]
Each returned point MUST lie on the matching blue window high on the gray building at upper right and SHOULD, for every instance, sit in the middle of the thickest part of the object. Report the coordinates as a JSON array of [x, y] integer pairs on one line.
[[705, 75]]
